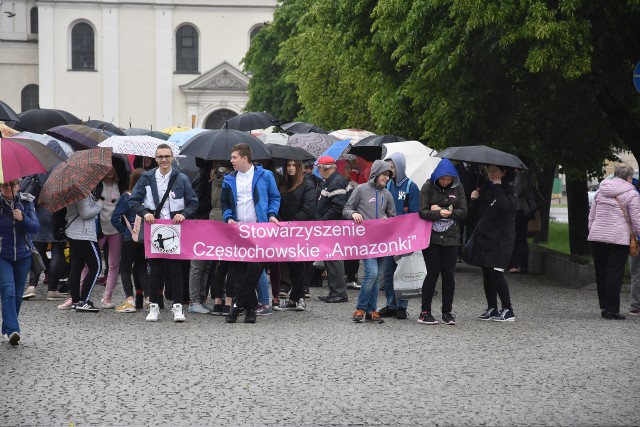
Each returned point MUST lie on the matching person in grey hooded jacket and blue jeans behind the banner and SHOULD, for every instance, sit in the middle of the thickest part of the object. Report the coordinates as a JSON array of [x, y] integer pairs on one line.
[[370, 200]]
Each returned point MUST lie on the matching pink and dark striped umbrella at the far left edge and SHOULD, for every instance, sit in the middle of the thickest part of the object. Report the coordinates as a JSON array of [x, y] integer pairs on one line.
[[22, 157]]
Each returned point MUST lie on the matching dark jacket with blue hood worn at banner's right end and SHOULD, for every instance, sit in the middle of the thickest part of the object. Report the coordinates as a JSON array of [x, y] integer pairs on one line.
[[444, 231]]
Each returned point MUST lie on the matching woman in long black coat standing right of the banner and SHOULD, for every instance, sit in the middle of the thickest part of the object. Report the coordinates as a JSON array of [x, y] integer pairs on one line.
[[494, 236]]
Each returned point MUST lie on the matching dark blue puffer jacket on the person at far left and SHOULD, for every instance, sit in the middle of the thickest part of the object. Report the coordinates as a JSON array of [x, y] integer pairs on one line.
[[15, 243]]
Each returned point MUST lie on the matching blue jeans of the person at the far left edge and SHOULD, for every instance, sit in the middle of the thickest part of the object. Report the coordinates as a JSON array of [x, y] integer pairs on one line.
[[13, 275]]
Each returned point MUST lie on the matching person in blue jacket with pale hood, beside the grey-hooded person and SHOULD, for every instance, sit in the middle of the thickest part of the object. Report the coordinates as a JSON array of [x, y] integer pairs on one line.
[[407, 199]]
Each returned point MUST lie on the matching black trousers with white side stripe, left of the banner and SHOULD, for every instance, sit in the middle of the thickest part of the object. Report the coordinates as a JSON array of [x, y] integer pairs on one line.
[[83, 252]]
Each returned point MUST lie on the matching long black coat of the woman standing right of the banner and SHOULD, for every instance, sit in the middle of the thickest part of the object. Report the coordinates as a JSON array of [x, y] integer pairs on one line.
[[495, 232]]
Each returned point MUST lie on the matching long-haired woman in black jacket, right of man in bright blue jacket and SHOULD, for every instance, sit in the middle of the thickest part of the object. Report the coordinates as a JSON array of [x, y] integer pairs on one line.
[[297, 203]]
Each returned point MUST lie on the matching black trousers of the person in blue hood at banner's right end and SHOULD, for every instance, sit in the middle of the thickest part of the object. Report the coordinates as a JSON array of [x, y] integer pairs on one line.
[[440, 261]]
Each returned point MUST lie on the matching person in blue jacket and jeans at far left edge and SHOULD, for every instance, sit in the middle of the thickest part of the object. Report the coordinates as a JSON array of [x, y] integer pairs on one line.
[[17, 220]]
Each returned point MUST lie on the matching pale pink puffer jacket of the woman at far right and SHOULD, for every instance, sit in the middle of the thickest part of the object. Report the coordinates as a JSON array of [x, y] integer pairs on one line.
[[607, 223]]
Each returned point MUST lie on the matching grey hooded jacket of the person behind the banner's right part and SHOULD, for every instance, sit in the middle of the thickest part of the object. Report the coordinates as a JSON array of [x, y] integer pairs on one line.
[[369, 199]]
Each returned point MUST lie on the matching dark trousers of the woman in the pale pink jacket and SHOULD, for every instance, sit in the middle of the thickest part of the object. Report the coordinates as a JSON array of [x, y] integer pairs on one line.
[[609, 261]]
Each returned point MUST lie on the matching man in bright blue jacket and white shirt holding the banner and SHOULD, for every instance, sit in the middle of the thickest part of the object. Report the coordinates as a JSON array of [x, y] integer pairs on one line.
[[249, 194]]
